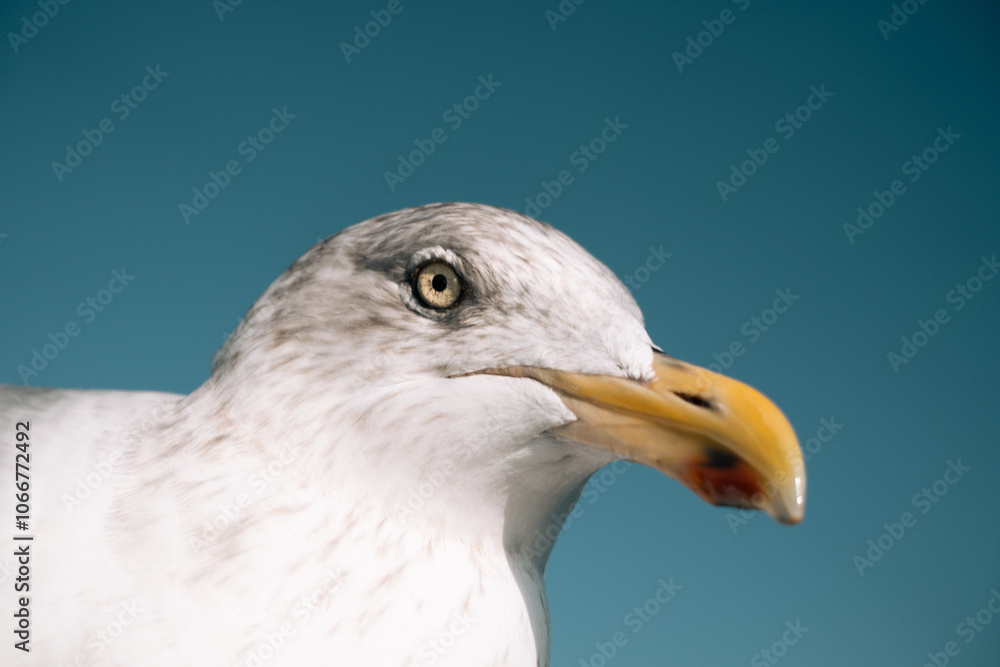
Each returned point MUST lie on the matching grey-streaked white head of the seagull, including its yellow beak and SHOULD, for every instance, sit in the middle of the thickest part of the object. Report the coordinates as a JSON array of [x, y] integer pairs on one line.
[[485, 362]]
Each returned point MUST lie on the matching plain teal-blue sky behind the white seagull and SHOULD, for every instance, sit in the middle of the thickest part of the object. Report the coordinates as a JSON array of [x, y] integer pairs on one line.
[[825, 358]]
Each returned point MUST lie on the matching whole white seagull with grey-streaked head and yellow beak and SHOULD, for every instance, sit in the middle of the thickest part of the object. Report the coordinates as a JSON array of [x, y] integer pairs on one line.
[[362, 478]]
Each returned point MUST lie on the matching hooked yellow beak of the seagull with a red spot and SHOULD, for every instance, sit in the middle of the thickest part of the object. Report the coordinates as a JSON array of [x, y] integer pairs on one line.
[[723, 439]]
